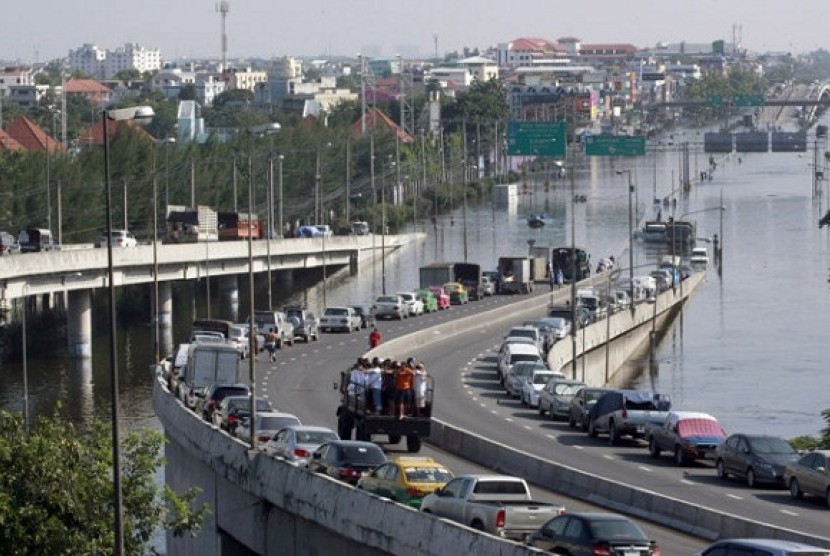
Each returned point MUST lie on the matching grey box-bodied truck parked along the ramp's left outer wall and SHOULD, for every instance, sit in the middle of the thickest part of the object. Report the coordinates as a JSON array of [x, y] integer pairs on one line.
[[207, 363]]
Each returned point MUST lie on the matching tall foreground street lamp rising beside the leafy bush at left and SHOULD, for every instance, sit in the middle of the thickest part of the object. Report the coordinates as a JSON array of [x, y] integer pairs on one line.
[[139, 114]]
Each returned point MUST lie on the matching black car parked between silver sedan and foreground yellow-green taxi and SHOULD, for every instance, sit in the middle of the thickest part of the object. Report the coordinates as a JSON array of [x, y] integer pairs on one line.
[[346, 460]]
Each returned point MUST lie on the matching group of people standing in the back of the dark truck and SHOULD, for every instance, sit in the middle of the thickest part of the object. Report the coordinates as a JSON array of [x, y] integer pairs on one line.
[[388, 387]]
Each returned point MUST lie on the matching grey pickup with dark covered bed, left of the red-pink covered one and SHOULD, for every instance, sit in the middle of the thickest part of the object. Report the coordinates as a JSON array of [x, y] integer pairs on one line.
[[627, 413]]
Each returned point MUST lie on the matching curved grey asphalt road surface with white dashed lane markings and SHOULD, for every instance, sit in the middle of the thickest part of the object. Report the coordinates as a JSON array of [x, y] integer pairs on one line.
[[469, 396]]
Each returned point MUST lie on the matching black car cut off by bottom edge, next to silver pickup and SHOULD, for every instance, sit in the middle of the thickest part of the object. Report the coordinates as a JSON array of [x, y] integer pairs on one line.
[[587, 534]]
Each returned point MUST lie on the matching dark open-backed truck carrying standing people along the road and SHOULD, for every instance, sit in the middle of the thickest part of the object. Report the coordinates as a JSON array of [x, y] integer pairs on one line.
[[355, 413]]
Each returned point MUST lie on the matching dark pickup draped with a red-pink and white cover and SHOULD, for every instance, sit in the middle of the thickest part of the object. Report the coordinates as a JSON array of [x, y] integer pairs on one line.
[[686, 434]]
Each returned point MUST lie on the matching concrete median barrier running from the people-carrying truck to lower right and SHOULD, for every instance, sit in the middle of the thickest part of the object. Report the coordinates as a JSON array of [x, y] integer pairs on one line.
[[672, 512]]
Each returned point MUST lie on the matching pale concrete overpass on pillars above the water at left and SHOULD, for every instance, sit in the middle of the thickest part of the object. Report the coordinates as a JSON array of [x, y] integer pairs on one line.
[[69, 276]]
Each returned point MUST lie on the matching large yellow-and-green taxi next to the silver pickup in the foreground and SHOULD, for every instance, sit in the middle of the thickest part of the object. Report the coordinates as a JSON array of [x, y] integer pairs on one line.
[[406, 479]]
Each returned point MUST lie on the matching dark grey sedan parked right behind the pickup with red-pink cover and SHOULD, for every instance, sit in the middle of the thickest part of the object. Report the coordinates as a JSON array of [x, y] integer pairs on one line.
[[757, 458]]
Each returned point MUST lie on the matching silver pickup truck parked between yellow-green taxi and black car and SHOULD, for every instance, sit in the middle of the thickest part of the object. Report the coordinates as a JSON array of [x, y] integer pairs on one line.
[[498, 504]]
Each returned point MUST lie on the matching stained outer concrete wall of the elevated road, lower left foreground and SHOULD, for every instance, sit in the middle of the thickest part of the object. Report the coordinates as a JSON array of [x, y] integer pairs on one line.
[[269, 506]]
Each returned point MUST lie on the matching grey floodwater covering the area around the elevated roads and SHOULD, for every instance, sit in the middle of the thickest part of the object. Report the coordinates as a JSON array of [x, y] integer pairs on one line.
[[748, 347]]
